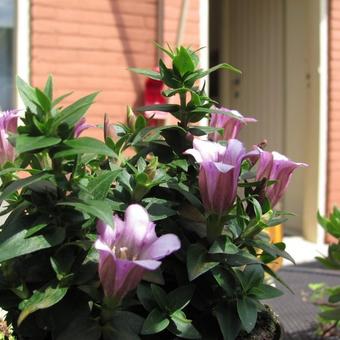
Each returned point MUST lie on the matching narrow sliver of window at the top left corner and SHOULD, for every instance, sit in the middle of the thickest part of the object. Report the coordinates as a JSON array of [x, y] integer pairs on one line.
[[6, 53]]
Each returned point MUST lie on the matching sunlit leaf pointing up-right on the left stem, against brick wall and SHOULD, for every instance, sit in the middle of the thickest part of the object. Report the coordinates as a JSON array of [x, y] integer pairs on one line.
[[74, 112]]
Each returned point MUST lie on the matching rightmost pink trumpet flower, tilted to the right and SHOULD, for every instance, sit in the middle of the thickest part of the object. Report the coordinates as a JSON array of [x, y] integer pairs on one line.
[[277, 167]]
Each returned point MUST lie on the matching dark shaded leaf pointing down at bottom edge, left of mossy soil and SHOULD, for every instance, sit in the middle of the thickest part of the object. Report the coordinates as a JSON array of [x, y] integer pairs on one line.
[[228, 321]]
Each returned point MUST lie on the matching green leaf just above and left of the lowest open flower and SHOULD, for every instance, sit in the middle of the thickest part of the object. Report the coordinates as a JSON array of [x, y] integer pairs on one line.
[[97, 208]]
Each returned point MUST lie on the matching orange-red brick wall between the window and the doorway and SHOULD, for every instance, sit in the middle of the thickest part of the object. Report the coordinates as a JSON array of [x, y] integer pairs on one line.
[[88, 45]]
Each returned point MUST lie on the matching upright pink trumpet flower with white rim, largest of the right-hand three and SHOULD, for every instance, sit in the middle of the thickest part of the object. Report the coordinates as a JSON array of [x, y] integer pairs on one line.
[[219, 172]]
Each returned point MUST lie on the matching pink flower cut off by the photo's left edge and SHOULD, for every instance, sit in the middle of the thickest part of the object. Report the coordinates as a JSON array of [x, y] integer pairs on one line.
[[8, 123]]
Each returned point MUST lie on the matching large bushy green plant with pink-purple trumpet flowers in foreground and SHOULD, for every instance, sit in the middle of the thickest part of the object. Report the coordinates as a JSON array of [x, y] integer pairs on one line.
[[166, 242]]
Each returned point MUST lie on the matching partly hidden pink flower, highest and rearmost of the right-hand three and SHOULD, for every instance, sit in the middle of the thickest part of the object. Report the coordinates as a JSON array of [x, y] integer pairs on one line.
[[231, 125]]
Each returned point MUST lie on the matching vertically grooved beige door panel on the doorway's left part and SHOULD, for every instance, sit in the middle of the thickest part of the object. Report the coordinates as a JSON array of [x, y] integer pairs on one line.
[[256, 47]]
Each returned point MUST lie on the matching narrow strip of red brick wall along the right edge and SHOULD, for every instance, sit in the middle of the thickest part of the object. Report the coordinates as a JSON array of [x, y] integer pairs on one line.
[[333, 185]]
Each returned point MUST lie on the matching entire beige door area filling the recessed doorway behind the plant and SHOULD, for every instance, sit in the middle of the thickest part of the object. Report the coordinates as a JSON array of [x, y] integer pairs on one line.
[[267, 40]]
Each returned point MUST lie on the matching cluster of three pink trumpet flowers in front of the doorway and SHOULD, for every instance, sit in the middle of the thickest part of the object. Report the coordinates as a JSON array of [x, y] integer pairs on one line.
[[220, 165]]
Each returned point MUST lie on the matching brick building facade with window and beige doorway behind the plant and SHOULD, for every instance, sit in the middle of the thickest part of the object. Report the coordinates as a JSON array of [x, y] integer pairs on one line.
[[288, 50]]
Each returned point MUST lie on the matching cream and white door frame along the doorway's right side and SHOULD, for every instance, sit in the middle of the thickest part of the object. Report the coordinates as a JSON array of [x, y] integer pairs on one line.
[[316, 174]]
